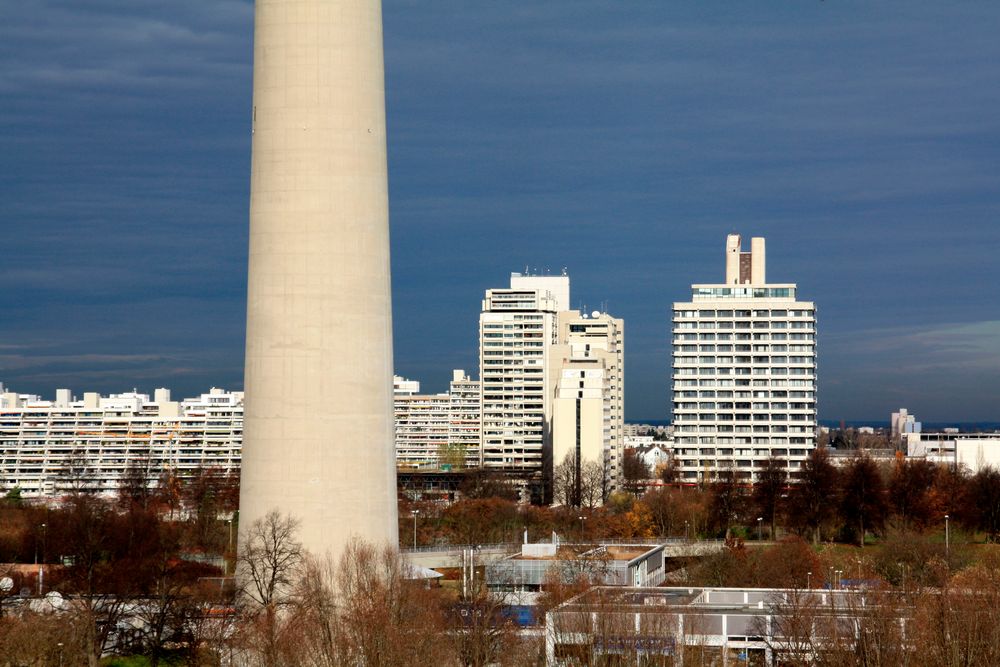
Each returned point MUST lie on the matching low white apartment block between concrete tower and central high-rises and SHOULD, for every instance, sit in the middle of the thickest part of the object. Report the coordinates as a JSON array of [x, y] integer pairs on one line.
[[435, 431]]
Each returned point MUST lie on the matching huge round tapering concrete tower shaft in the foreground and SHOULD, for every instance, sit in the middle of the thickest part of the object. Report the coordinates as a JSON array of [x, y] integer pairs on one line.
[[319, 423]]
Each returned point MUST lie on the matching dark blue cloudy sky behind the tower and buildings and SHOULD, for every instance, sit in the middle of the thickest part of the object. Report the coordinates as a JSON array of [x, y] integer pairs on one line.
[[620, 140]]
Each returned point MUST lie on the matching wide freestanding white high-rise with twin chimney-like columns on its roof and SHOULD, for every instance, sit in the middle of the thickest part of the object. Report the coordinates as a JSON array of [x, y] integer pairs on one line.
[[744, 371]]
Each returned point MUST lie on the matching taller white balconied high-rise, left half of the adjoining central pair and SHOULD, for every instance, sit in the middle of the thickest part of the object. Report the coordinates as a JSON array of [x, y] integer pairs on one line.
[[518, 327]]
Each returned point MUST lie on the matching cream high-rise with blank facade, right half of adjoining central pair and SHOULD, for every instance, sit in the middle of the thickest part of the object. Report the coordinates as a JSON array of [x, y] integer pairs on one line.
[[588, 417]]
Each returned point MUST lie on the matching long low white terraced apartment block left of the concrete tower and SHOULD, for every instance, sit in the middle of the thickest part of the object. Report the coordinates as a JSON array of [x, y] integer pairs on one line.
[[49, 448]]
